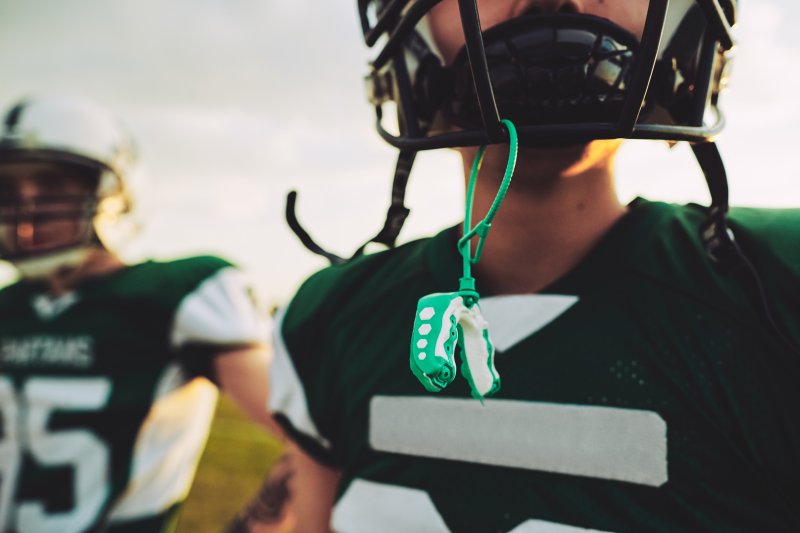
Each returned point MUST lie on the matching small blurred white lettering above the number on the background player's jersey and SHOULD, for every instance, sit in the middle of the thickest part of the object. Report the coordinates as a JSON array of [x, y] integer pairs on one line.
[[40, 350]]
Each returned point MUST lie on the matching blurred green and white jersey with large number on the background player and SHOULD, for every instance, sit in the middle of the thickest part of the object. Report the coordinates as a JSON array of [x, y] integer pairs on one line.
[[102, 422]]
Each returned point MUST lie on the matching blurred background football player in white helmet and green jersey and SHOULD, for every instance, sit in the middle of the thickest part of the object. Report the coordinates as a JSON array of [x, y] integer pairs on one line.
[[103, 409]]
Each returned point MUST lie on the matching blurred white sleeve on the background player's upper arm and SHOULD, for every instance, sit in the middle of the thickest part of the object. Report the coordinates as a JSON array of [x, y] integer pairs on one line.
[[219, 311]]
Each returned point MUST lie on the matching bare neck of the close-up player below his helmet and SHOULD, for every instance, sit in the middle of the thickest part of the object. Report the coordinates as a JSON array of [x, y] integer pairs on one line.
[[546, 225]]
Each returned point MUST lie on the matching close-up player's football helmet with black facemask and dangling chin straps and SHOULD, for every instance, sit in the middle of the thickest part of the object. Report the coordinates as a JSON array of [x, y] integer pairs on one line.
[[562, 78]]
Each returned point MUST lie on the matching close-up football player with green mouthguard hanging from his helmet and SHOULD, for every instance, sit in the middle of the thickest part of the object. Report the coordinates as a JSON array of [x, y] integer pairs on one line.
[[647, 353]]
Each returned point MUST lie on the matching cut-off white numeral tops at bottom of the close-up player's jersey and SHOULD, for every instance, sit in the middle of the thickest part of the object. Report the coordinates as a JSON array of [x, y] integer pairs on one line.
[[368, 506]]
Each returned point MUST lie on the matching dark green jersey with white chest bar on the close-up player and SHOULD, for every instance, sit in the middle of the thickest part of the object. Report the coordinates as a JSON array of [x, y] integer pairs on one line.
[[640, 392]]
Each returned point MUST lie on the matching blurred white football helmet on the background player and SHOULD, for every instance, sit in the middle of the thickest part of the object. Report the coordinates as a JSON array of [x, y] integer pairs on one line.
[[78, 135]]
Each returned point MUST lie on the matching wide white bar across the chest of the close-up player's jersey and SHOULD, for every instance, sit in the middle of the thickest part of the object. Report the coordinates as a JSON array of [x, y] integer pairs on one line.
[[582, 440]]
